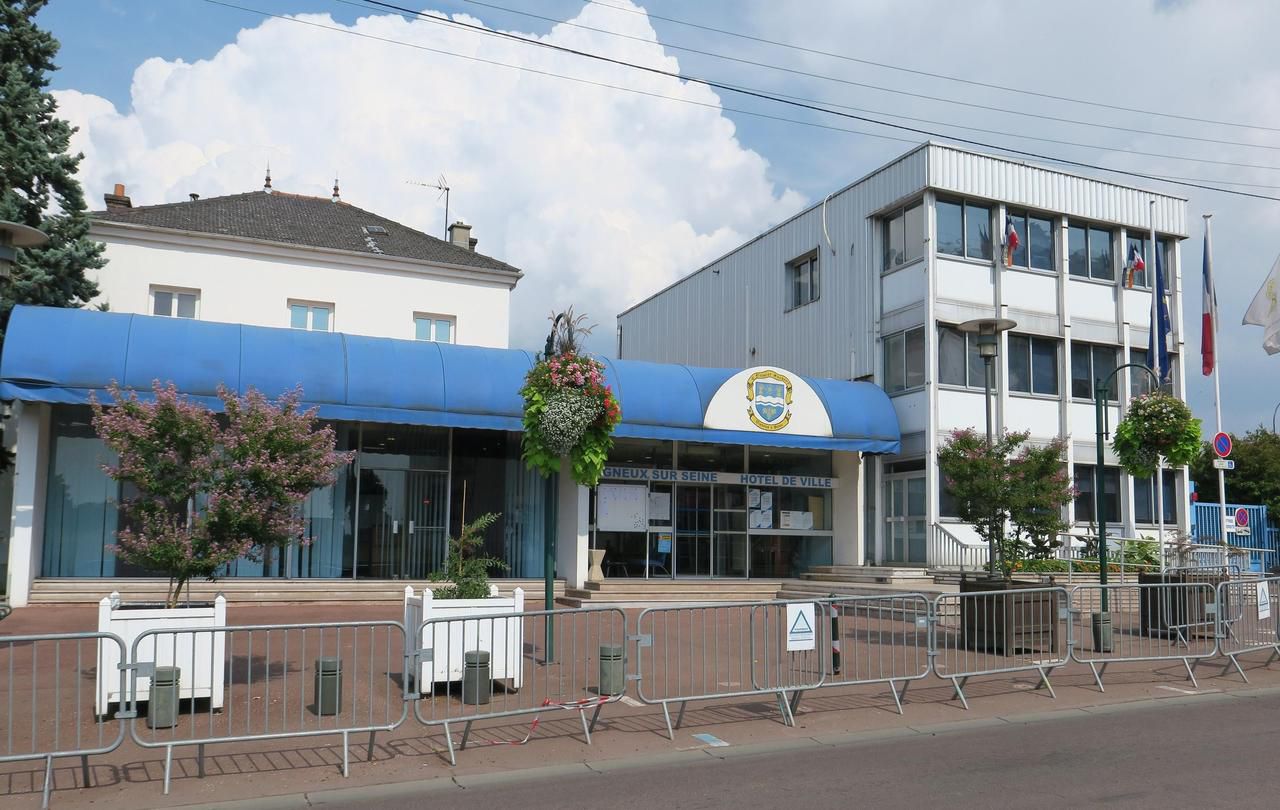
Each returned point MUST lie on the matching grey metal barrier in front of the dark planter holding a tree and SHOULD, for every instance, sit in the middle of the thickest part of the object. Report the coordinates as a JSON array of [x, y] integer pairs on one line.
[[1000, 631]]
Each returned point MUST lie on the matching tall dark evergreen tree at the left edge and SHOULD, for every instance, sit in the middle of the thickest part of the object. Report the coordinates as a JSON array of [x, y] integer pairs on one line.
[[38, 177]]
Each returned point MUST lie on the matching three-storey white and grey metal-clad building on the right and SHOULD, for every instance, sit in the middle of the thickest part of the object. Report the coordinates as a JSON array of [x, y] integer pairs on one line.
[[747, 309]]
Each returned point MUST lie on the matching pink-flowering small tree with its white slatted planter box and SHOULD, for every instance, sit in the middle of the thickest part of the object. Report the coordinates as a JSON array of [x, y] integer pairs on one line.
[[205, 491]]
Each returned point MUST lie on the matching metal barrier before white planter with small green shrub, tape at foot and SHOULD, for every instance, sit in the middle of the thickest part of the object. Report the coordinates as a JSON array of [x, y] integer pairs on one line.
[[527, 663]]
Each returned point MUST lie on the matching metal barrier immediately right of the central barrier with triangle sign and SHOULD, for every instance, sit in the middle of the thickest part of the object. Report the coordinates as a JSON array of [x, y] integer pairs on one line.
[[879, 640]]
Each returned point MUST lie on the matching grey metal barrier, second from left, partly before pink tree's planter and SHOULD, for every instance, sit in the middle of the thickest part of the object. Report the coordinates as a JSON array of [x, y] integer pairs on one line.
[[271, 681]]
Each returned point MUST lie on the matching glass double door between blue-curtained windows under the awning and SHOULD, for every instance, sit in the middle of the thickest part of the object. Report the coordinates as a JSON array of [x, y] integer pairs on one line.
[[403, 524]]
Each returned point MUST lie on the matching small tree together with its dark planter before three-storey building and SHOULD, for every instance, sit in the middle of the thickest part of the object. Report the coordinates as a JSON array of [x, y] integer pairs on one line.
[[1013, 493]]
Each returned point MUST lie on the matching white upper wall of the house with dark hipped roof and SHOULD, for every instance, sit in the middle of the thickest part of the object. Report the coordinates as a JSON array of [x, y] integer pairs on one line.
[[250, 282]]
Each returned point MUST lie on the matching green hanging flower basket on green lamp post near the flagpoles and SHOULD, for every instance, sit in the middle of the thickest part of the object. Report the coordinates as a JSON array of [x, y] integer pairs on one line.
[[1156, 425]]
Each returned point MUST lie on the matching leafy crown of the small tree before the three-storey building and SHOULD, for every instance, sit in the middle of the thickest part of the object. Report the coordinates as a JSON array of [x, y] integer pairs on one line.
[[1013, 492]]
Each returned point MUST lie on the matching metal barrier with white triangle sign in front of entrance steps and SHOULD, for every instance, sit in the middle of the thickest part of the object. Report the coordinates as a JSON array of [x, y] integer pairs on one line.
[[691, 653]]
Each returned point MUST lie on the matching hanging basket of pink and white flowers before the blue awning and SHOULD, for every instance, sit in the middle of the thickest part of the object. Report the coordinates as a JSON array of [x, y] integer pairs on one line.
[[569, 411]]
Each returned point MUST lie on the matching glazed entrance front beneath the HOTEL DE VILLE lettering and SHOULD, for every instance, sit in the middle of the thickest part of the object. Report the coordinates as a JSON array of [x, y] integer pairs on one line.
[[700, 519]]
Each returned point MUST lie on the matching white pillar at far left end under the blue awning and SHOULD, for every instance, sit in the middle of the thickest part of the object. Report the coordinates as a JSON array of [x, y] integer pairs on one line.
[[30, 482]]
